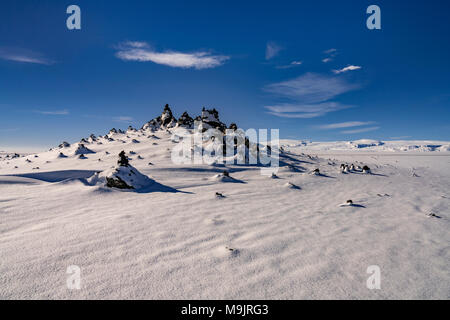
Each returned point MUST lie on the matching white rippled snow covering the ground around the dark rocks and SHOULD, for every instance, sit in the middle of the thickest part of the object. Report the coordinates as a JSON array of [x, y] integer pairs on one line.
[[263, 240]]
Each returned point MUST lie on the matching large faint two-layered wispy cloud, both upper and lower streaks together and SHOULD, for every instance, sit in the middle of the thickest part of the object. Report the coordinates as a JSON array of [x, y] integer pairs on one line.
[[310, 96]]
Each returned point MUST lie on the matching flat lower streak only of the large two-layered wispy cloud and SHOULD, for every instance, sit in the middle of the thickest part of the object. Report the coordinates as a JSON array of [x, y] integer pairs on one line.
[[305, 111]]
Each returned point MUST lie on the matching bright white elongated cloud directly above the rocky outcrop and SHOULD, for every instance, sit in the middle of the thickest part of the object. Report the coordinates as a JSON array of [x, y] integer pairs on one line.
[[142, 52]]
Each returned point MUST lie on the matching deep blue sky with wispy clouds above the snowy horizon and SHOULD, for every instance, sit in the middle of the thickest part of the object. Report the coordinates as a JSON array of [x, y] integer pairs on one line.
[[311, 69]]
